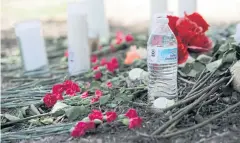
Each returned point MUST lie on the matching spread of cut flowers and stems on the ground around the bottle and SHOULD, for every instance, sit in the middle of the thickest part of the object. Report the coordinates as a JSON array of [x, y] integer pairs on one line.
[[113, 94]]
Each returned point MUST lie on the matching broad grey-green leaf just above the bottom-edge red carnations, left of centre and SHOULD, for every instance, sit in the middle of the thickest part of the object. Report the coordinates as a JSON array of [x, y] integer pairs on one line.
[[75, 112]]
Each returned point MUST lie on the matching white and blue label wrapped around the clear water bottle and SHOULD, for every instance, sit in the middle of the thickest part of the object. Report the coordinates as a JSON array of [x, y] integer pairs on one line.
[[159, 55]]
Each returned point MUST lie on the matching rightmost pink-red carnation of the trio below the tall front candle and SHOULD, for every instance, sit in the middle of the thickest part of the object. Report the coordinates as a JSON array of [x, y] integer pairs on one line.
[[71, 88]]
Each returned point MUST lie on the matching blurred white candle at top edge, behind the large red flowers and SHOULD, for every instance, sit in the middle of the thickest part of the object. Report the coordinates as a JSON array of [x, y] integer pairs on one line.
[[188, 6]]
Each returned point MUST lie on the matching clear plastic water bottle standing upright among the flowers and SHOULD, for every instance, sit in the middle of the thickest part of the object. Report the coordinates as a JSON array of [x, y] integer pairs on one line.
[[162, 60]]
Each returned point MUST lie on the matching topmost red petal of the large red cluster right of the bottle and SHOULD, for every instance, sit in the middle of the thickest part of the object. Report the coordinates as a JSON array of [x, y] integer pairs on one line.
[[198, 19]]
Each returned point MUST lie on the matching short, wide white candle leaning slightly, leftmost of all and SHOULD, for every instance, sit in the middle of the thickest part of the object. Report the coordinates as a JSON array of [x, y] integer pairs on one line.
[[32, 46]]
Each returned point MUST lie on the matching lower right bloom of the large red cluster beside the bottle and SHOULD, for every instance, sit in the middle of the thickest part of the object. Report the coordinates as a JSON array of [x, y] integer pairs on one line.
[[200, 43]]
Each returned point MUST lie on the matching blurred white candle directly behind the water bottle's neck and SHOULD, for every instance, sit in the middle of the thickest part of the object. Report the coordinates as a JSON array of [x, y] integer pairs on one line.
[[157, 6]]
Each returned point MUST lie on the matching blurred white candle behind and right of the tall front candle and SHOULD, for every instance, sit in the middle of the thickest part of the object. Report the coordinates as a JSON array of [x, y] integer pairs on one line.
[[97, 21]]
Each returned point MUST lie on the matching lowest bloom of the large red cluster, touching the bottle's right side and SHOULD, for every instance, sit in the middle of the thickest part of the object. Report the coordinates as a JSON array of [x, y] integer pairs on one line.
[[182, 52]]
